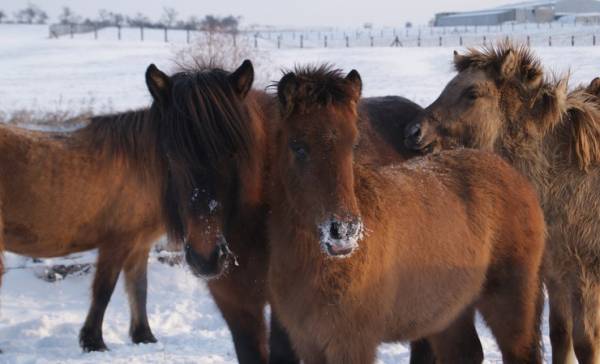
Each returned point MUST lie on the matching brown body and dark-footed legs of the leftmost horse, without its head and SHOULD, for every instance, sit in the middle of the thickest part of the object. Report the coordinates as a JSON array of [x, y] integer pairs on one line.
[[66, 193]]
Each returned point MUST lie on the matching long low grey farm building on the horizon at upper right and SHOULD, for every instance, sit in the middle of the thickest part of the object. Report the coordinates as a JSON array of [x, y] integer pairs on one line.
[[540, 11]]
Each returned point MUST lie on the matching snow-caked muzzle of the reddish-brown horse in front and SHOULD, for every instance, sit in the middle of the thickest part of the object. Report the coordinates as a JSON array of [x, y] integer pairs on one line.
[[340, 235]]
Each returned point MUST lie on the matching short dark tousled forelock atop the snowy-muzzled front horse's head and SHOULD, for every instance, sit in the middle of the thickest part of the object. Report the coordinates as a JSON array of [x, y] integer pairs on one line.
[[319, 85]]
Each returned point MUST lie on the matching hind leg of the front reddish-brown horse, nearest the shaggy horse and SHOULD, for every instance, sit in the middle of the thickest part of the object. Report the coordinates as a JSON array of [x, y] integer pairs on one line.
[[512, 306]]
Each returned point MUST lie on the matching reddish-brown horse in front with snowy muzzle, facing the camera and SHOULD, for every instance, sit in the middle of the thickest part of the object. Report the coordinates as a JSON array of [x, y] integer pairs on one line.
[[363, 253]]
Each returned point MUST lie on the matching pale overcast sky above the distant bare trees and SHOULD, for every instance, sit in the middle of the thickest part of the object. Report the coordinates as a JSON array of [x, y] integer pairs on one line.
[[273, 12]]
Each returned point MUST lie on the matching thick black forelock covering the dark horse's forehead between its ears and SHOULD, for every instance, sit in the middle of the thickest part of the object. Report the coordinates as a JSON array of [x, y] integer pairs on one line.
[[208, 120]]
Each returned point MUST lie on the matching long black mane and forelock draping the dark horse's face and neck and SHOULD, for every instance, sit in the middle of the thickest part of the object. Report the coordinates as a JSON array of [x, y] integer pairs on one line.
[[206, 123]]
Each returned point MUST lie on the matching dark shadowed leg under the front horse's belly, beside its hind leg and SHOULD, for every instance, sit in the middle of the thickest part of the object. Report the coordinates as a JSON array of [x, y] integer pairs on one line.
[[459, 343]]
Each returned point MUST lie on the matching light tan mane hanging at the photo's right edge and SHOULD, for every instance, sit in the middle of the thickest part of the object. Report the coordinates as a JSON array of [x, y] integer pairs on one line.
[[583, 125]]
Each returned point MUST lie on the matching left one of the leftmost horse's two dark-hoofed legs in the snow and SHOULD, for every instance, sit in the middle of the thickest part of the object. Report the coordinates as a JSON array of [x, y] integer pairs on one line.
[[108, 266]]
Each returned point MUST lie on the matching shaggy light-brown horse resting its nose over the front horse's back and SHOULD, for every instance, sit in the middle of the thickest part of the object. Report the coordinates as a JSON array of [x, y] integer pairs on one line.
[[500, 101]]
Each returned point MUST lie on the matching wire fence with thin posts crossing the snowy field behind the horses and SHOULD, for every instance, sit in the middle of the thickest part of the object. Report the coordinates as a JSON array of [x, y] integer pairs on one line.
[[547, 34]]
